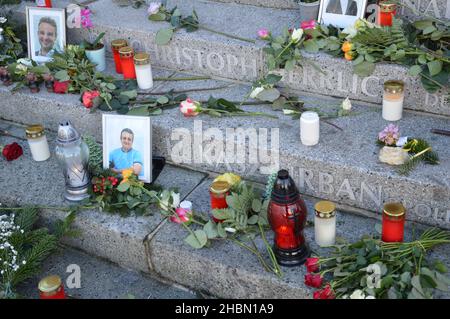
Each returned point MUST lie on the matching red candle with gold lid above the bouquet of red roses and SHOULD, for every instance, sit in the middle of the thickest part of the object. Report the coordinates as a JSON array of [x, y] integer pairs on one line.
[[393, 226]]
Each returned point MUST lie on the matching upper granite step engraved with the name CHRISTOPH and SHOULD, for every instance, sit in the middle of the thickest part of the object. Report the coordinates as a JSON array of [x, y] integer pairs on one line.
[[207, 53]]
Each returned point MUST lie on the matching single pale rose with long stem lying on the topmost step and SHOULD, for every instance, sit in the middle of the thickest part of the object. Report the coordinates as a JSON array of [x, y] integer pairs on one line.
[[158, 12]]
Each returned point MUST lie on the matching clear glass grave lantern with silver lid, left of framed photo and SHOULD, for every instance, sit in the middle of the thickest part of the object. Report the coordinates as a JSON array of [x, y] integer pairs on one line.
[[73, 156]]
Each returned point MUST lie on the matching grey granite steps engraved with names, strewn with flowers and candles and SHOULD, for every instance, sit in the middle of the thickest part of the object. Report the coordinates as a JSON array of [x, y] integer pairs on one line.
[[343, 168]]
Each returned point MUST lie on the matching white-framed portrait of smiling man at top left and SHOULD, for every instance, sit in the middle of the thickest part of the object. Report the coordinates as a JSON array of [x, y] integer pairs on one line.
[[46, 32]]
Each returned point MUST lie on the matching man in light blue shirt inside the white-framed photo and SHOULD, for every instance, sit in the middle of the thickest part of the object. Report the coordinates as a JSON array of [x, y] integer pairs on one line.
[[126, 156]]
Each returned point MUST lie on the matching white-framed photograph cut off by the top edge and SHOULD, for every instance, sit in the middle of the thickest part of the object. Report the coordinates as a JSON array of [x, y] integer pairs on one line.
[[341, 13]]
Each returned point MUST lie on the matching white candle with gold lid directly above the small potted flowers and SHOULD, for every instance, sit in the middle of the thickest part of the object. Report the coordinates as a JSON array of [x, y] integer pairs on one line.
[[393, 97]]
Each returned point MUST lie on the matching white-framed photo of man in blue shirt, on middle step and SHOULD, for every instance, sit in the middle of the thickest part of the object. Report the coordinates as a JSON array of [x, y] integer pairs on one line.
[[127, 144]]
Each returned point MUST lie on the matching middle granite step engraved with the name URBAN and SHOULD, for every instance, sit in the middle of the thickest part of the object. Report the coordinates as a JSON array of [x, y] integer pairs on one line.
[[343, 167]]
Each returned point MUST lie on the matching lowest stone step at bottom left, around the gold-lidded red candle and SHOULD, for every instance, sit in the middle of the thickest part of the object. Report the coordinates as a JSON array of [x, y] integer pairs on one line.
[[100, 279]]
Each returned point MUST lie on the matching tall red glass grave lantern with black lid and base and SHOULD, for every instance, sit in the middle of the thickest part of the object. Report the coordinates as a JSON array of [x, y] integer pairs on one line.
[[287, 216]]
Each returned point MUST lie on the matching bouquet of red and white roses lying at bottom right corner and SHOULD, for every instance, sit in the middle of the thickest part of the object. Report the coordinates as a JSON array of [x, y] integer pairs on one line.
[[372, 269]]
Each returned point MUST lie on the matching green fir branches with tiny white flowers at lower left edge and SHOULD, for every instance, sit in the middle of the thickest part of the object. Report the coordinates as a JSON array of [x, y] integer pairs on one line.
[[25, 247]]
